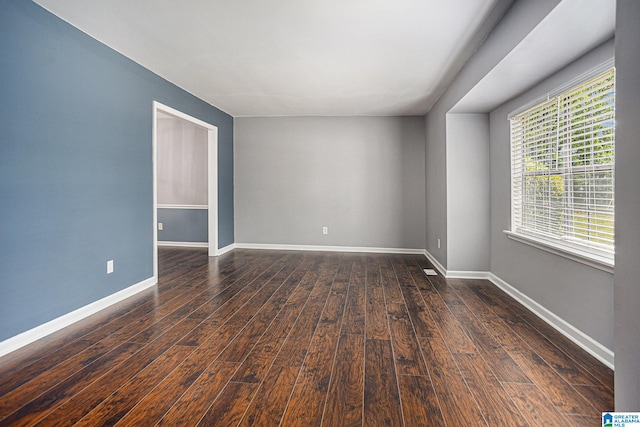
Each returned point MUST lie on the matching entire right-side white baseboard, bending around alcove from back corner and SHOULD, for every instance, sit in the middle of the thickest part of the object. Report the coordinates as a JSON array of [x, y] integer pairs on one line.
[[590, 345]]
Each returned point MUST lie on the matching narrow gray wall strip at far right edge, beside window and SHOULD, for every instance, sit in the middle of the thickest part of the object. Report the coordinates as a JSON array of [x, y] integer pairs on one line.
[[626, 308]]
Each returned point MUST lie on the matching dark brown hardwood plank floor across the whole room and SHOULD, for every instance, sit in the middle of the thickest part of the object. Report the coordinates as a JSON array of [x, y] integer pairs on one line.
[[268, 338]]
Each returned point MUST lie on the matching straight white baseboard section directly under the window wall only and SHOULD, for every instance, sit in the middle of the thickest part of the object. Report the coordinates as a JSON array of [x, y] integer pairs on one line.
[[593, 347]]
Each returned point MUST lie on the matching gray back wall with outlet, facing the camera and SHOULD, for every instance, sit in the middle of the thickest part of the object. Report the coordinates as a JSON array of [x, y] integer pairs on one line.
[[363, 177]]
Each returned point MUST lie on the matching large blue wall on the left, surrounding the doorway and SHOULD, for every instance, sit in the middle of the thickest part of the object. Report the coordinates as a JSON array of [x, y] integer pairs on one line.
[[76, 184]]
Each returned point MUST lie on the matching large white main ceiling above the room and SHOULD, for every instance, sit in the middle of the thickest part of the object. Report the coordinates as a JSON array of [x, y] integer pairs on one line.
[[295, 57]]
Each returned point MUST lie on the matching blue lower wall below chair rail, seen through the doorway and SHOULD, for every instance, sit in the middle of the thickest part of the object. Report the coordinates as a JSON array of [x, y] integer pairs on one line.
[[183, 225]]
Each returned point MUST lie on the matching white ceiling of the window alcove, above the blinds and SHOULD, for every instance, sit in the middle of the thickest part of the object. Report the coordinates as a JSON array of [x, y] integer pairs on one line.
[[559, 39]]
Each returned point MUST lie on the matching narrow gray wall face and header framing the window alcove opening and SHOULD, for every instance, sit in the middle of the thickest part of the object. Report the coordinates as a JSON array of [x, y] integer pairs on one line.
[[517, 23]]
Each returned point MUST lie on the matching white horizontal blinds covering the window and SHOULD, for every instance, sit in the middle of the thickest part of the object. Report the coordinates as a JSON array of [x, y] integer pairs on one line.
[[562, 177]]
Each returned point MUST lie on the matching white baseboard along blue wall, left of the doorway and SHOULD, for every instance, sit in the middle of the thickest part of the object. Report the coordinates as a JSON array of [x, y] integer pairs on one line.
[[27, 337]]
